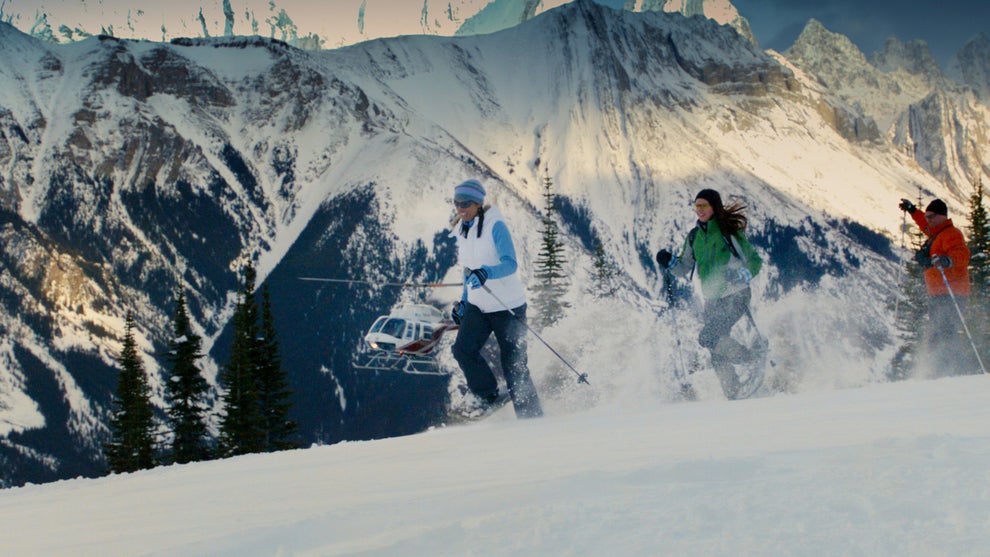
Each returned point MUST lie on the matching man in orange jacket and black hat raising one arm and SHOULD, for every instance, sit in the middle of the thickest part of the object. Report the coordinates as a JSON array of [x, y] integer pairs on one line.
[[945, 252]]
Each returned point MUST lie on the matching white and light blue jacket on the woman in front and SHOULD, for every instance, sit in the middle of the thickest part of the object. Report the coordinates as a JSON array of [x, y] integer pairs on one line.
[[494, 252]]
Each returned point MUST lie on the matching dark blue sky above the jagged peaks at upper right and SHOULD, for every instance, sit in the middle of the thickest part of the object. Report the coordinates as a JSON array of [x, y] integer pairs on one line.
[[945, 25]]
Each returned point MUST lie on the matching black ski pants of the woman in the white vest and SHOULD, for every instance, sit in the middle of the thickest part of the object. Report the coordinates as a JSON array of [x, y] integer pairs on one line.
[[510, 333]]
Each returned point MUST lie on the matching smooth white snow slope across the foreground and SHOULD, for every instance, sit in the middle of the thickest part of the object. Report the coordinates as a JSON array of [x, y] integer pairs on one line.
[[891, 470]]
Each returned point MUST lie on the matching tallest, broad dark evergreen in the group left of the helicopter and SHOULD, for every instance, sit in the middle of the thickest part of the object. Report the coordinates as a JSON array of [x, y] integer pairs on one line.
[[242, 426]]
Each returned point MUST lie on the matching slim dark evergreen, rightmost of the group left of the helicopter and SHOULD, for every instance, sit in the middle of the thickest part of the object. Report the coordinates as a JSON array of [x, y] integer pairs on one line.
[[273, 385]]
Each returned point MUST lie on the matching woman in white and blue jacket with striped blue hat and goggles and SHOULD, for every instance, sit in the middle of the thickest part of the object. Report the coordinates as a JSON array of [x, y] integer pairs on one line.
[[491, 289]]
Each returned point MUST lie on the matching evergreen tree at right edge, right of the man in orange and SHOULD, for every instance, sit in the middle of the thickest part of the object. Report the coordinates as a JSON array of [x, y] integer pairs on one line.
[[978, 309]]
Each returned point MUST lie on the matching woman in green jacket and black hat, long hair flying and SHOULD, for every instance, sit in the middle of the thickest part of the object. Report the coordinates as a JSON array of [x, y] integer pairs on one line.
[[726, 262]]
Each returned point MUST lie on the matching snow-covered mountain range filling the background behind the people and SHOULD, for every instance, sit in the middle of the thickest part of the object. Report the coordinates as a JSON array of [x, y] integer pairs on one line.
[[131, 169]]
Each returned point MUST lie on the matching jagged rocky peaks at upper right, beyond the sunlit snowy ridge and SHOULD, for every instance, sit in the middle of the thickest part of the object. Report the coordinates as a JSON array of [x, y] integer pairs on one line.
[[935, 120]]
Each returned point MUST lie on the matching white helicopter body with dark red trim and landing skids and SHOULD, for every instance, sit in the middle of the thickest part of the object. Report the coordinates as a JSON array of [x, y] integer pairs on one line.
[[405, 340]]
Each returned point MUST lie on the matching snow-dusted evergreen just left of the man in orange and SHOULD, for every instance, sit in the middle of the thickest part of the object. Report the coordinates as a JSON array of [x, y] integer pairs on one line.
[[910, 307]]
